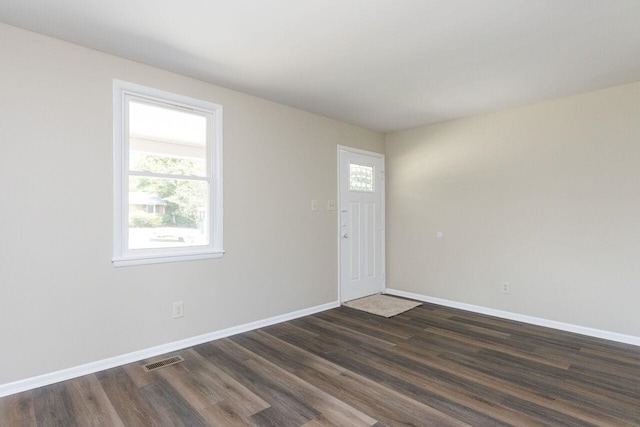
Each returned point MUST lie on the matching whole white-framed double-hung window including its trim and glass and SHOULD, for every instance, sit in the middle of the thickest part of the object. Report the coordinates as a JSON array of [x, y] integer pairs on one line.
[[167, 176]]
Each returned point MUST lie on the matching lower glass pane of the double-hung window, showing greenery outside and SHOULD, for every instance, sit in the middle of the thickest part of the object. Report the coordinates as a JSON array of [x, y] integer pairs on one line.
[[167, 212]]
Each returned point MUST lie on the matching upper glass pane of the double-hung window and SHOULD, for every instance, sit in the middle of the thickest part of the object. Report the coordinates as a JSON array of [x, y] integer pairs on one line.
[[168, 141]]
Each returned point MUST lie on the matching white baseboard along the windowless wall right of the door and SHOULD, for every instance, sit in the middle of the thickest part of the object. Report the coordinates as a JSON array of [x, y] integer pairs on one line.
[[582, 330]]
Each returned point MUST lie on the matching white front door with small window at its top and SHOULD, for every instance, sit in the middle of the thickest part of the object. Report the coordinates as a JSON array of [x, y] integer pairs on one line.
[[361, 223]]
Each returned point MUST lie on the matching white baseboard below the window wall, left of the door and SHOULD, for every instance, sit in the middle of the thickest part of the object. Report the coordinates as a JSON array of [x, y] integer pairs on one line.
[[112, 362]]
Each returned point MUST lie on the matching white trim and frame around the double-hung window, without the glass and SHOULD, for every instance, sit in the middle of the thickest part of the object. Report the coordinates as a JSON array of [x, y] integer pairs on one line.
[[123, 256]]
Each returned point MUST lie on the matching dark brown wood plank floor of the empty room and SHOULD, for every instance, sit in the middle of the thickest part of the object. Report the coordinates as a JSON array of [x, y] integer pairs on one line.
[[431, 366]]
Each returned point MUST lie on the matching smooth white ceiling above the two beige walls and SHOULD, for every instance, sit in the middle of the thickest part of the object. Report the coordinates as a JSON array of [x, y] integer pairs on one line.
[[382, 64]]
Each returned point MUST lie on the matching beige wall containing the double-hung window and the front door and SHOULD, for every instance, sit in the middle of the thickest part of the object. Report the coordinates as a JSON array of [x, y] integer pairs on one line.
[[62, 303]]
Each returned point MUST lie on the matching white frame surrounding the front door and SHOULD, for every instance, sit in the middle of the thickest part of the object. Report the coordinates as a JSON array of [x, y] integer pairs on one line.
[[384, 215]]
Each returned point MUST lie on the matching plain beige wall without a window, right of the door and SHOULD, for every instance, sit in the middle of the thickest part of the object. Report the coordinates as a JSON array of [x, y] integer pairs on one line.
[[545, 196]]
